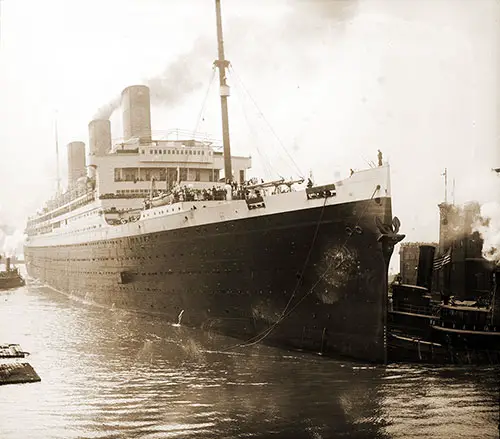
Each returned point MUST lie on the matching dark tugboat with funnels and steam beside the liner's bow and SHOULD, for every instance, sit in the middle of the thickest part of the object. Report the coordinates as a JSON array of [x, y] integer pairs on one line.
[[464, 325]]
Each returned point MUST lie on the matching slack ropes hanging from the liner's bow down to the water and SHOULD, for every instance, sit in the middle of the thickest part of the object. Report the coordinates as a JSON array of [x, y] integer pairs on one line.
[[259, 337]]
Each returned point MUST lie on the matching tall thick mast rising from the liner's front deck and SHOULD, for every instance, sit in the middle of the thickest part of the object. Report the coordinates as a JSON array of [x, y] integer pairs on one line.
[[222, 64]]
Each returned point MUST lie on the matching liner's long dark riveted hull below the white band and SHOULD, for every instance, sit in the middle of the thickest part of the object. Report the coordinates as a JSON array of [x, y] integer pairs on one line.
[[317, 277]]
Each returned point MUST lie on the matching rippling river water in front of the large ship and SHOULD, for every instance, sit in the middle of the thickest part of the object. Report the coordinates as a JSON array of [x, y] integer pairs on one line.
[[112, 374]]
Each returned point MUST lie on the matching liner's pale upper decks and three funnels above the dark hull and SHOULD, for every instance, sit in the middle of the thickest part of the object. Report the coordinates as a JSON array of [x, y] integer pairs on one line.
[[109, 202]]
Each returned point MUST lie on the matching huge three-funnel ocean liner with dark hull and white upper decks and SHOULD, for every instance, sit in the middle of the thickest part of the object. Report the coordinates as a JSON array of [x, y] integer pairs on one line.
[[148, 225]]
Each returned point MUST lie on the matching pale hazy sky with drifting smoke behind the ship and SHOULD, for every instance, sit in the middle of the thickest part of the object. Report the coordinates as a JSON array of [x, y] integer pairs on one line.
[[335, 80]]
